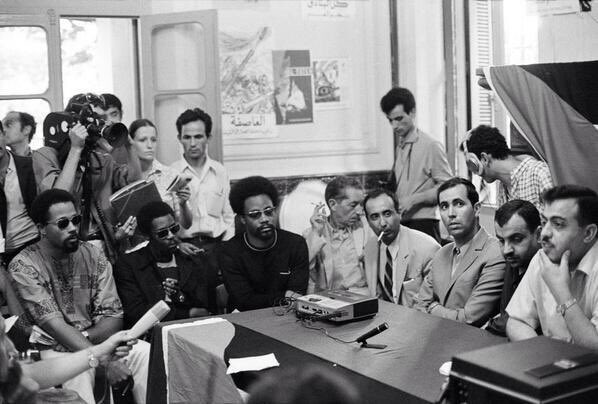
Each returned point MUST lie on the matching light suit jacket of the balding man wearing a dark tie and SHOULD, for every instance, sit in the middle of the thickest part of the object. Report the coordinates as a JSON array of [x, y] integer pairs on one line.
[[416, 250]]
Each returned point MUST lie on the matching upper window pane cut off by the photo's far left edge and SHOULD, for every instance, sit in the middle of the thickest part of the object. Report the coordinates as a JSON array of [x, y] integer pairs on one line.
[[24, 65]]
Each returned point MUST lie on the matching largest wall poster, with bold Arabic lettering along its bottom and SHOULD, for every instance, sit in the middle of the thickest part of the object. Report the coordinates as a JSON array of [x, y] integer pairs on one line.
[[246, 82]]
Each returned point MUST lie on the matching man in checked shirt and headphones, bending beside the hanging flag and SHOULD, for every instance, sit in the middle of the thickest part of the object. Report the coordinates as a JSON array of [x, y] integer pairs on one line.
[[521, 176]]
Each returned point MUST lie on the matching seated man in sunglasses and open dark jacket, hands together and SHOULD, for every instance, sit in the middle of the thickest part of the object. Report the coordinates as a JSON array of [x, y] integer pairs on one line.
[[159, 271]]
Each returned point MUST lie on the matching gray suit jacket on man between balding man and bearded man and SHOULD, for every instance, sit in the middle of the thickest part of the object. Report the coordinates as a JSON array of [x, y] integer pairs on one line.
[[472, 294]]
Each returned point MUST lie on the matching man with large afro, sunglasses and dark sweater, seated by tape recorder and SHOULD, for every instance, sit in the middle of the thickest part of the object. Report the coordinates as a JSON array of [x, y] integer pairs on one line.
[[262, 265]]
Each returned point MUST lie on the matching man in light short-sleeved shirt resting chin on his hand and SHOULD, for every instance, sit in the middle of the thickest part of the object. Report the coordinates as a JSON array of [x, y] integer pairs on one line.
[[559, 291]]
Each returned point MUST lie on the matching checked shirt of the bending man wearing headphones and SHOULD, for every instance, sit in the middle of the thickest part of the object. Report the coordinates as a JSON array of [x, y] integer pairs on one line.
[[528, 180]]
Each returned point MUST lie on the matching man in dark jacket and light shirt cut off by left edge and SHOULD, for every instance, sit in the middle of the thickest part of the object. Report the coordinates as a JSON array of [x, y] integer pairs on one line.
[[17, 192]]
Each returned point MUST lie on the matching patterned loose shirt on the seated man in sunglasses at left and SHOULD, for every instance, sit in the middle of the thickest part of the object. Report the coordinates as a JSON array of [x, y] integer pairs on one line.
[[80, 288]]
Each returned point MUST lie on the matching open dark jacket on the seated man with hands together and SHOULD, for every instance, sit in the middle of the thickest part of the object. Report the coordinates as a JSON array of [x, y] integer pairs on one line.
[[139, 284]]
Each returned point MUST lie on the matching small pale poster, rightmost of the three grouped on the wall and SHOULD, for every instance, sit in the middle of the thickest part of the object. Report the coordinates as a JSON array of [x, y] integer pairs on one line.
[[330, 83]]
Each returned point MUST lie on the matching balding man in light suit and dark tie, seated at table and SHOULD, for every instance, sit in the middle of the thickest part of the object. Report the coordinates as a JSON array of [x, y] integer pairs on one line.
[[395, 260]]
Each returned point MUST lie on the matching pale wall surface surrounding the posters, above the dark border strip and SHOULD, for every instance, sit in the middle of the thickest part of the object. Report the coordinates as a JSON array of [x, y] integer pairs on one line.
[[356, 138]]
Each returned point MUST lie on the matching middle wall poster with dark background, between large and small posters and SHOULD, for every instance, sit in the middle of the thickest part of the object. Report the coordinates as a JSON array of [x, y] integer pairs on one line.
[[293, 100]]
